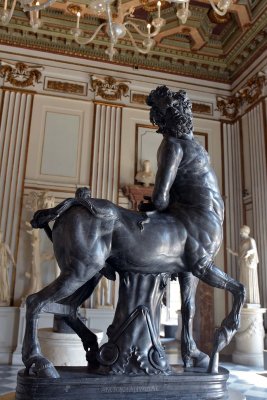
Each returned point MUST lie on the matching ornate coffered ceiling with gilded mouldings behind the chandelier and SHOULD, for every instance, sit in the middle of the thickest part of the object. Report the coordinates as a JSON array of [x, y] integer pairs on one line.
[[207, 46]]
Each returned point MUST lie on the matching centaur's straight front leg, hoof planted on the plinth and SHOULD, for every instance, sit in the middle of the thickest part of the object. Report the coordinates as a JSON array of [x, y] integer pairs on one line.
[[190, 352]]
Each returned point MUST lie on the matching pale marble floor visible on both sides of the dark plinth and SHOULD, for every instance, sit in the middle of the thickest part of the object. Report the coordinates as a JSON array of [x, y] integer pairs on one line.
[[249, 383]]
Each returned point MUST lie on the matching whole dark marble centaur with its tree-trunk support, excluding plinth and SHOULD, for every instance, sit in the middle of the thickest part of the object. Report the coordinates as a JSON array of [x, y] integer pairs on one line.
[[176, 234]]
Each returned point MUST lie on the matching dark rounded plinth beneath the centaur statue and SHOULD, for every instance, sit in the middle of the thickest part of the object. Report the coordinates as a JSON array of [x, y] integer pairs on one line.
[[76, 383]]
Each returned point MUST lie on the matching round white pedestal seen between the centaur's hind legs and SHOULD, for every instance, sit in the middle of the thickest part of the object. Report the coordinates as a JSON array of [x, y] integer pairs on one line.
[[64, 349]]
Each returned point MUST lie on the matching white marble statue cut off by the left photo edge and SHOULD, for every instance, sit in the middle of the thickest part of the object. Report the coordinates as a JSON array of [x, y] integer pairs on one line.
[[6, 258]]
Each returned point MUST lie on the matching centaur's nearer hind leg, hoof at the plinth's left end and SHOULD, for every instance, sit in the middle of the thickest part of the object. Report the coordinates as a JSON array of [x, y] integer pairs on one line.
[[65, 285]]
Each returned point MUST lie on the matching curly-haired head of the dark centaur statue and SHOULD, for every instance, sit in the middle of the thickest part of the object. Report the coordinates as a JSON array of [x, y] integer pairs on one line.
[[171, 111]]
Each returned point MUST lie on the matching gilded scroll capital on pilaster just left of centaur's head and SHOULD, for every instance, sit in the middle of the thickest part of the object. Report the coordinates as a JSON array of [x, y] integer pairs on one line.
[[109, 88]]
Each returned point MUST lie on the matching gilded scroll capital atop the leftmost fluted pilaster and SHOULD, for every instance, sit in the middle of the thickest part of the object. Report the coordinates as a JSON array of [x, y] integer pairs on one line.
[[20, 75]]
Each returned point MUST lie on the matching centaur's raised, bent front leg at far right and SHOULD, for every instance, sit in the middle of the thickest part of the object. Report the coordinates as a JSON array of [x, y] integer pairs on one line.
[[213, 276]]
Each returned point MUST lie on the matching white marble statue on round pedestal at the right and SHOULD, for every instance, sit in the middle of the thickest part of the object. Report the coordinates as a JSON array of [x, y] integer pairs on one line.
[[248, 262]]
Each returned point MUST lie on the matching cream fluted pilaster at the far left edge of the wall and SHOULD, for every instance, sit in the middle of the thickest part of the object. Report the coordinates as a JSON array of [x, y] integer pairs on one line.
[[14, 130]]
